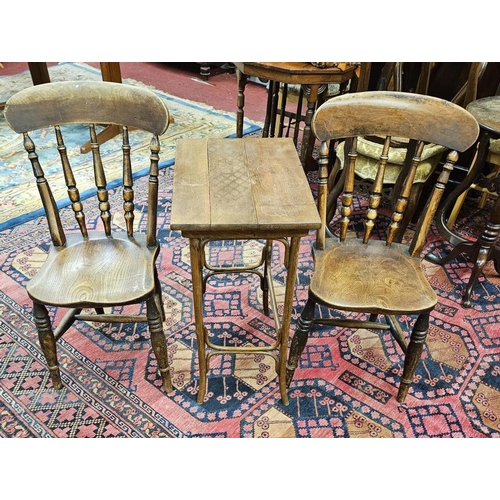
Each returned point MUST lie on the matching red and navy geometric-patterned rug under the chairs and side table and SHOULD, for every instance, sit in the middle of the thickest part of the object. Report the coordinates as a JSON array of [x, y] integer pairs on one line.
[[345, 385]]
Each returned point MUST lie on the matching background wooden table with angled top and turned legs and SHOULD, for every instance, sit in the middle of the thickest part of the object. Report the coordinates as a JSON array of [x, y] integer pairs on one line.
[[302, 73]]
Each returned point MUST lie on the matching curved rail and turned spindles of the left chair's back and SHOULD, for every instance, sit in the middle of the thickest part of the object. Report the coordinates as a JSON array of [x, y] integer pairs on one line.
[[93, 103]]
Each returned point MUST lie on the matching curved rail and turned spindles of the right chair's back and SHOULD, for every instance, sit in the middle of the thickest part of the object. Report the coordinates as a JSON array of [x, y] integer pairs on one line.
[[419, 118]]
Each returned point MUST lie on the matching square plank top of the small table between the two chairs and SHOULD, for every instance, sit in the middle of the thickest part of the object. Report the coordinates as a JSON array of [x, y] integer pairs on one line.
[[250, 188]]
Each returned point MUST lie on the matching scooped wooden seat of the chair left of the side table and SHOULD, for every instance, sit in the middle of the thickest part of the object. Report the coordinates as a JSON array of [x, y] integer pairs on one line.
[[97, 272]]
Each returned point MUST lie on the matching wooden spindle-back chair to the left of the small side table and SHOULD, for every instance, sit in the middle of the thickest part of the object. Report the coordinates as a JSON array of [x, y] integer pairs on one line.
[[89, 269]]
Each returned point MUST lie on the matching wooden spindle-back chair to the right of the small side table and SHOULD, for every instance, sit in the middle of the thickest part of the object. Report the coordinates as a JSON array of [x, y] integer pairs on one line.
[[360, 272]]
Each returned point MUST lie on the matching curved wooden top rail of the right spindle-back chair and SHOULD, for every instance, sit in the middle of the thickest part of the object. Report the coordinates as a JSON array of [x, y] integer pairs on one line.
[[335, 119]]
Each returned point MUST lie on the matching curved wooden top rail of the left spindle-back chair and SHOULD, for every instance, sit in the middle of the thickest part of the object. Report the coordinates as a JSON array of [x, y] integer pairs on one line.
[[60, 103]]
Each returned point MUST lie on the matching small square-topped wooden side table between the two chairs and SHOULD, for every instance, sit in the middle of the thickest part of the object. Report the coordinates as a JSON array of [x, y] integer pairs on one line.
[[230, 189]]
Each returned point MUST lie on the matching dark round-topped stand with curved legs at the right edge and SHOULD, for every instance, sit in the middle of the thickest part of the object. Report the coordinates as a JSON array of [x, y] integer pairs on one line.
[[485, 248]]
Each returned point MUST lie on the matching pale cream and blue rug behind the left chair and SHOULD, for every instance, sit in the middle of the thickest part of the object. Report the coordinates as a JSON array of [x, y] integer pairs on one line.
[[20, 201]]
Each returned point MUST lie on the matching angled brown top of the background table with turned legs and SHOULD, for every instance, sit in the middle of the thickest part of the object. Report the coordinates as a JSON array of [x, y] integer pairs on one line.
[[298, 72]]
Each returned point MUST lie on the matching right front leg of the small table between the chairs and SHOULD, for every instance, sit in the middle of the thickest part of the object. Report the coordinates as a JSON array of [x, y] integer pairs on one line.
[[287, 312]]
